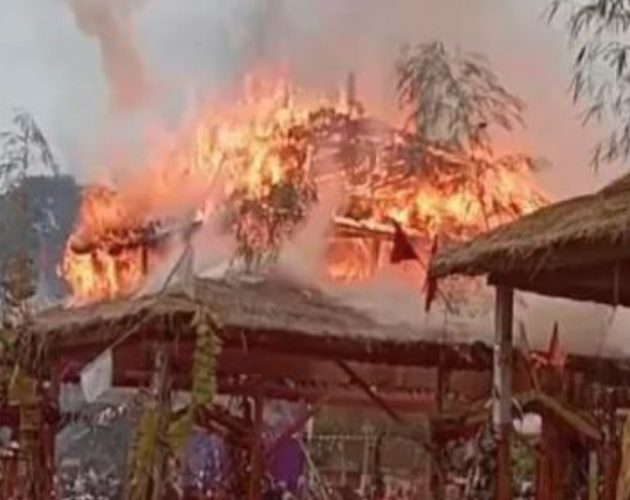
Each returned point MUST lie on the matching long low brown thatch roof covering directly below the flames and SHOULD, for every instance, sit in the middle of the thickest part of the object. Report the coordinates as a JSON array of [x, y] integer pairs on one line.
[[273, 314]]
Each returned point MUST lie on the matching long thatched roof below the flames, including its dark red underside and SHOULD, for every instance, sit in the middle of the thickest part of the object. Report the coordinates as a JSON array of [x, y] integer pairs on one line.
[[277, 337]]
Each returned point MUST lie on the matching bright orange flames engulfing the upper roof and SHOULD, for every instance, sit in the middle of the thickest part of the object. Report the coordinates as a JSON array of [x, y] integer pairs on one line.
[[258, 166]]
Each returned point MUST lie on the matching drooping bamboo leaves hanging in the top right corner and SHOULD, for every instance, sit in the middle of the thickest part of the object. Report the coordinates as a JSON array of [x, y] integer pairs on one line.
[[598, 30]]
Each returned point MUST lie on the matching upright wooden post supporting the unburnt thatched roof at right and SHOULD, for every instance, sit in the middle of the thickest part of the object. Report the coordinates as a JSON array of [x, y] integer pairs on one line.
[[502, 394]]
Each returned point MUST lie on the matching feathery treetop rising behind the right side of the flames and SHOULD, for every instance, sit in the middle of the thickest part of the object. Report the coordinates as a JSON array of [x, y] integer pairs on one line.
[[453, 98]]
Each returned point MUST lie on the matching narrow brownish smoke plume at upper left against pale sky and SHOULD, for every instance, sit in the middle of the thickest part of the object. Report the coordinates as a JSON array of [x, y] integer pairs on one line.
[[109, 21]]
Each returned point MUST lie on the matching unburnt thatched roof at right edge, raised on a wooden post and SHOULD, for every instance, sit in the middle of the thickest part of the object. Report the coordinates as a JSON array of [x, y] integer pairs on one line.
[[578, 248]]
